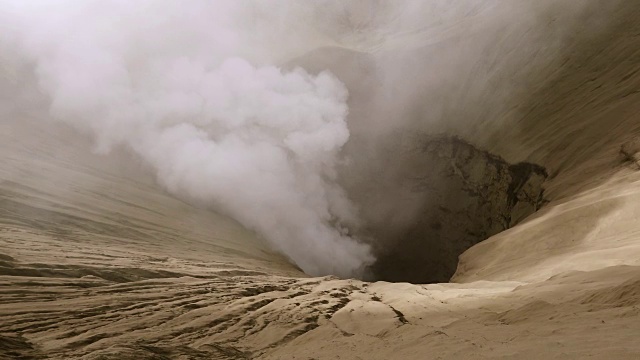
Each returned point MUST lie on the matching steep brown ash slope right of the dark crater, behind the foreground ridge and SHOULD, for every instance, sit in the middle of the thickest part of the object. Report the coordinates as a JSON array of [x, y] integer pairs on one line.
[[576, 125]]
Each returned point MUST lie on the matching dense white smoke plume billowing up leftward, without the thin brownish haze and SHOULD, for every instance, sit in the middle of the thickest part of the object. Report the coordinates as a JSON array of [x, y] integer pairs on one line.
[[184, 86]]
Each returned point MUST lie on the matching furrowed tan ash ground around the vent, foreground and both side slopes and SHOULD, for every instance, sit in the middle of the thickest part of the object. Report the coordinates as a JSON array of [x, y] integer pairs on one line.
[[96, 262]]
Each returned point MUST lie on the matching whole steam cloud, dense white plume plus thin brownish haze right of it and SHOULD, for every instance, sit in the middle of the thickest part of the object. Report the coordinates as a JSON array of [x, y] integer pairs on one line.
[[195, 90]]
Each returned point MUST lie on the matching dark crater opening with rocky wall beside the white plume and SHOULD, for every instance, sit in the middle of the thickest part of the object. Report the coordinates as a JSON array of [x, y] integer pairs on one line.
[[448, 196]]
